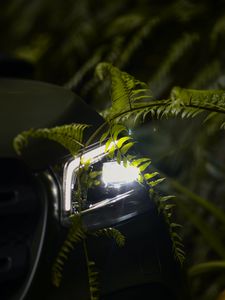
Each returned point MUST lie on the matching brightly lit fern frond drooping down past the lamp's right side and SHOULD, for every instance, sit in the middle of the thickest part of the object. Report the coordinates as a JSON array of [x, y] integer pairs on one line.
[[115, 148]]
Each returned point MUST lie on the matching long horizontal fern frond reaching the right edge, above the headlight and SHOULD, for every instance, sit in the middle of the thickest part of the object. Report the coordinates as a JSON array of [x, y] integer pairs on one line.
[[186, 103]]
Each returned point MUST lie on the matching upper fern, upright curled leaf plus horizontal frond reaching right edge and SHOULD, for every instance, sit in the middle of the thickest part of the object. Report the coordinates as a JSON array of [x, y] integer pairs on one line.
[[131, 102]]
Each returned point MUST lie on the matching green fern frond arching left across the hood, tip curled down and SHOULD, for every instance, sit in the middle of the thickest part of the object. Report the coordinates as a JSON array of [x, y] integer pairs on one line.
[[69, 136]]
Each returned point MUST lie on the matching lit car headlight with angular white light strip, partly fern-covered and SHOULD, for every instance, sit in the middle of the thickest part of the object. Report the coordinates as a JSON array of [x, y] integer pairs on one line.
[[117, 196]]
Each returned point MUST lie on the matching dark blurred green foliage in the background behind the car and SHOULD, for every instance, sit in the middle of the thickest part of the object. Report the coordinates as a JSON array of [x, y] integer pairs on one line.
[[165, 44]]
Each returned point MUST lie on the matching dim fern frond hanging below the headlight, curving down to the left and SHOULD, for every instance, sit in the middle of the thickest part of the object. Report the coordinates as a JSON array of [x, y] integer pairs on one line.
[[75, 235]]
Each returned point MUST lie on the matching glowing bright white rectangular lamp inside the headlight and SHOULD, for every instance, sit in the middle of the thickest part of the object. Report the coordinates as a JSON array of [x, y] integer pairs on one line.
[[116, 174]]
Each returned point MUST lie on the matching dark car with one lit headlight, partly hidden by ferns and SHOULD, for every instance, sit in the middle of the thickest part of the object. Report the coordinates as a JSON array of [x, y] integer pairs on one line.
[[36, 206]]
